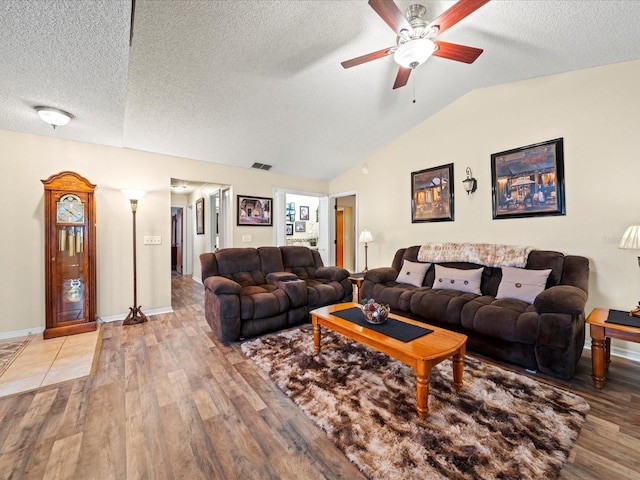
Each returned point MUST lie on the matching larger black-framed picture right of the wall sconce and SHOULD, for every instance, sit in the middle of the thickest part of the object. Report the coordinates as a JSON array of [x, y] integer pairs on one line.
[[528, 181]]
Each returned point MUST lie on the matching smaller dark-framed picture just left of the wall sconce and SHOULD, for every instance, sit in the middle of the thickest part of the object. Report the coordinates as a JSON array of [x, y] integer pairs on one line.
[[432, 194]]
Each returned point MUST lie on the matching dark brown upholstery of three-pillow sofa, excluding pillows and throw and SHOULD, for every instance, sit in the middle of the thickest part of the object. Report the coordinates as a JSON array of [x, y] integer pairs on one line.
[[546, 335]]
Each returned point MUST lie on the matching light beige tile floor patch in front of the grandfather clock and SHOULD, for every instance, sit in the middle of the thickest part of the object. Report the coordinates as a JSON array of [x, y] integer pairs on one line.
[[45, 362]]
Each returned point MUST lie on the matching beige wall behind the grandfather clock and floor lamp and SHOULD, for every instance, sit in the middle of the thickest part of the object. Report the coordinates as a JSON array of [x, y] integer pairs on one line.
[[28, 158]]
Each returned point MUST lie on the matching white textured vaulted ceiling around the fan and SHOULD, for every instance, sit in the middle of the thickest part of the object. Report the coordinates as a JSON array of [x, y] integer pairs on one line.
[[238, 82]]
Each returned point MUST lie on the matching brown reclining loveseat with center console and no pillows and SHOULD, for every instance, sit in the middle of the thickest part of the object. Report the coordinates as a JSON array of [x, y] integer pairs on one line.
[[251, 291]]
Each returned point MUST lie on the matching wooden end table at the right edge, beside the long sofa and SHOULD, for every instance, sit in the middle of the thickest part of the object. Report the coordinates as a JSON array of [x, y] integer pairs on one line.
[[601, 334]]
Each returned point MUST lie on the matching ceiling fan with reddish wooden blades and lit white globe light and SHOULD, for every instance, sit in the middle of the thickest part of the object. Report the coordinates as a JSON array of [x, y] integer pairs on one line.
[[415, 37]]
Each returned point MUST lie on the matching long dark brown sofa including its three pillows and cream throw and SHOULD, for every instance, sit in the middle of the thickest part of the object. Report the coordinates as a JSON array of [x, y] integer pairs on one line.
[[543, 330]]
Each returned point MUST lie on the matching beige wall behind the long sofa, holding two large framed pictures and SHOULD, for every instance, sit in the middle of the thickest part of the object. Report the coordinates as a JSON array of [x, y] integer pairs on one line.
[[597, 111]]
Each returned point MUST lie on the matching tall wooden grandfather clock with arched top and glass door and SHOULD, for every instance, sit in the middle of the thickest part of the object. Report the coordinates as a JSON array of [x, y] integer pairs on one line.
[[70, 255]]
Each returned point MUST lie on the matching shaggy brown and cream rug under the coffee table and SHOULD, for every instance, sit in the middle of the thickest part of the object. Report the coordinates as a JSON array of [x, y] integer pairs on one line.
[[501, 425]]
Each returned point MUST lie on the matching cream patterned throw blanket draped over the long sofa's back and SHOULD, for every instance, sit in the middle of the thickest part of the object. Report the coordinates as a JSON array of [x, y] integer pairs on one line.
[[488, 254]]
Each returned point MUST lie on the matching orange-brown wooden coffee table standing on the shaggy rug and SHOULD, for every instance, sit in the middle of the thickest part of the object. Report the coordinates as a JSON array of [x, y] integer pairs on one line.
[[422, 354]]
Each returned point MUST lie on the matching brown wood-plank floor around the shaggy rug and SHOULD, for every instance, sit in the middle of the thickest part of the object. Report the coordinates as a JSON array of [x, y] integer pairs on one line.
[[170, 401]]
